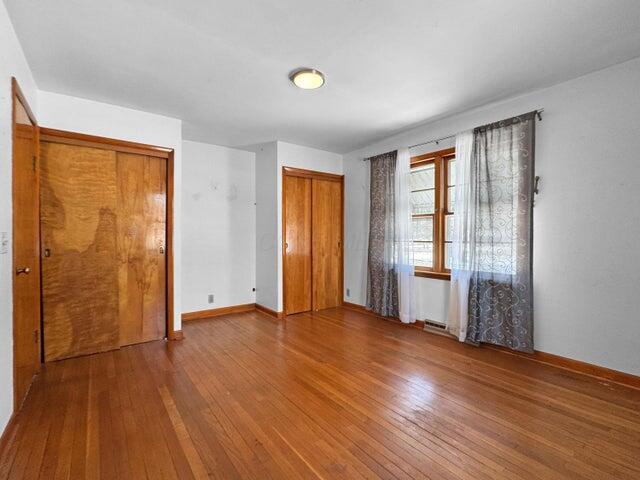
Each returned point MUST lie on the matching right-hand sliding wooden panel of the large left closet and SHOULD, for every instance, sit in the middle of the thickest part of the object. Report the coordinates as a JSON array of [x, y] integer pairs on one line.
[[141, 247]]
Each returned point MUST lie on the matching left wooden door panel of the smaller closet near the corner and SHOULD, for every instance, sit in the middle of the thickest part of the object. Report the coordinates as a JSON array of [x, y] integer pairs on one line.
[[296, 216]]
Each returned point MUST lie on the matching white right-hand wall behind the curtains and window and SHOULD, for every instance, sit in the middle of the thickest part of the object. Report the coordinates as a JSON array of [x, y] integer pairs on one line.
[[586, 222]]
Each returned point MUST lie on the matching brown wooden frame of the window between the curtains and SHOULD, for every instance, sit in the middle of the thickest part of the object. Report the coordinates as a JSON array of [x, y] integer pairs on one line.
[[440, 159]]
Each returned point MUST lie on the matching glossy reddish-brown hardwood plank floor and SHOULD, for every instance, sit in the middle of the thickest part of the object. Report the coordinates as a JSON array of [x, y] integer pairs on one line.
[[335, 394]]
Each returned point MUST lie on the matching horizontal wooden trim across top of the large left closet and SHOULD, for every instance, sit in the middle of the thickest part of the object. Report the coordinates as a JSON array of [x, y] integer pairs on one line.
[[83, 140]]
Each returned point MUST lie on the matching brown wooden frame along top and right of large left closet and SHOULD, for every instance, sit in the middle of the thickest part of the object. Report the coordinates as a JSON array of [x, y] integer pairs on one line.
[[124, 146]]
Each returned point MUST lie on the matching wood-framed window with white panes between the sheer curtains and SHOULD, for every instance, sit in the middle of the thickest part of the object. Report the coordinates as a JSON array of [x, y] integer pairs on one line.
[[432, 202]]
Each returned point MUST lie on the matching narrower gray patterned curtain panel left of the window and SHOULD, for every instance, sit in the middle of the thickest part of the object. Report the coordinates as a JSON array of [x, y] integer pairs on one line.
[[382, 283]]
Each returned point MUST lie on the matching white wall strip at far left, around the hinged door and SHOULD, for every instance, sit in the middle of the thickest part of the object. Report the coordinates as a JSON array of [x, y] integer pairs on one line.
[[12, 64]]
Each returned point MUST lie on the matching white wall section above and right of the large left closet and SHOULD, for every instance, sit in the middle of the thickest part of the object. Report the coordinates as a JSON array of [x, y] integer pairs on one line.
[[94, 118]]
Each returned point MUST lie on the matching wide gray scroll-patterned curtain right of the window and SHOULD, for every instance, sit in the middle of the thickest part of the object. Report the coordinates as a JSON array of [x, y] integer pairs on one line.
[[501, 200]]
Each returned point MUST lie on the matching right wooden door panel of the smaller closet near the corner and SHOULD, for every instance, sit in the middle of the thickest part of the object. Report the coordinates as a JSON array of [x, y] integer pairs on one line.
[[327, 244]]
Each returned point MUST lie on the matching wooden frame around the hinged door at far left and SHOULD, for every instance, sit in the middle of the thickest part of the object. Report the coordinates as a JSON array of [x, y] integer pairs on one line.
[[18, 96]]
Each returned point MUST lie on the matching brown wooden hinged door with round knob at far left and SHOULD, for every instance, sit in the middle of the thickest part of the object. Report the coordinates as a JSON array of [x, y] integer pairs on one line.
[[26, 257]]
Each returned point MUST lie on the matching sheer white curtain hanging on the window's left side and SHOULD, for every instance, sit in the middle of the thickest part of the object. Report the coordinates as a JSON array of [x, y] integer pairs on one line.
[[403, 238]]
